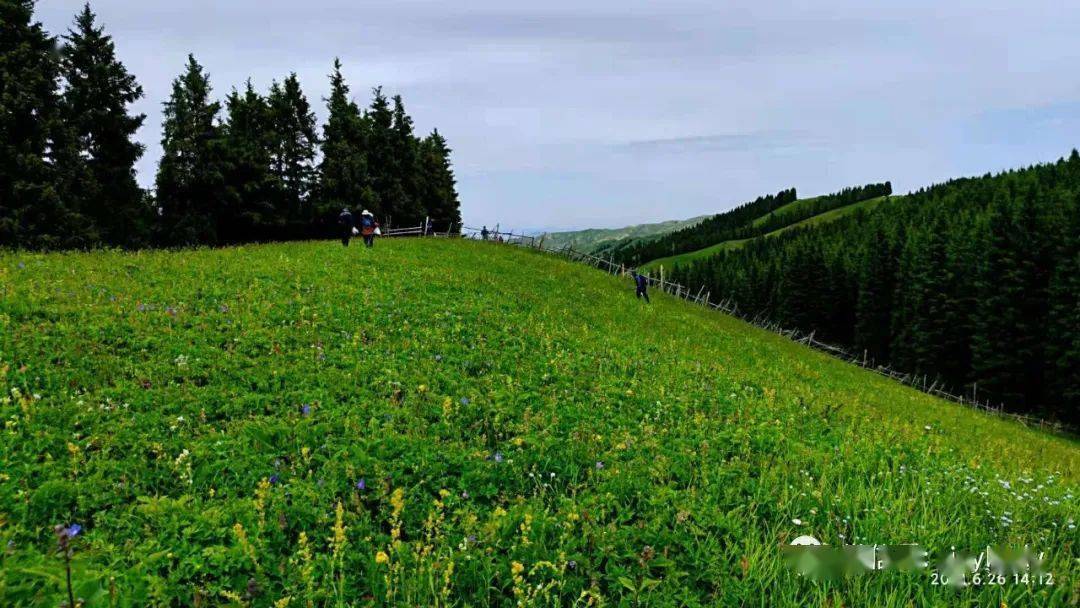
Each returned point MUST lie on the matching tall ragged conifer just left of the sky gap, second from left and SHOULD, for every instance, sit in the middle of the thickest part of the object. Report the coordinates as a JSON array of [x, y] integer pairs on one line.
[[96, 105]]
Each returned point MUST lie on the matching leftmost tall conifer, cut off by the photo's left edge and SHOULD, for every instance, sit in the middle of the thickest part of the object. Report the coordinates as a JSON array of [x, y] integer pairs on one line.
[[39, 168]]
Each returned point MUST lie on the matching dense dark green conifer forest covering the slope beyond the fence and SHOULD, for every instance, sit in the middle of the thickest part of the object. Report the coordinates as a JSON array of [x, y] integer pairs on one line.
[[975, 282]]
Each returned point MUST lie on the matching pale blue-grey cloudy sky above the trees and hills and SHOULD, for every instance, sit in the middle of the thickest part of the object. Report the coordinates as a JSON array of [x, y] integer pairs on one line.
[[568, 115]]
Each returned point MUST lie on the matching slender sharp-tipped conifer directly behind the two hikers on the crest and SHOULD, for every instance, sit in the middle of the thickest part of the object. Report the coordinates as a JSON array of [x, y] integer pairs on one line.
[[343, 172]]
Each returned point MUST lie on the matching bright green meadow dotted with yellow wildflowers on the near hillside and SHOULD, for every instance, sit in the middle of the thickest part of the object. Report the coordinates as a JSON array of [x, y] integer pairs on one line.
[[449, 423]]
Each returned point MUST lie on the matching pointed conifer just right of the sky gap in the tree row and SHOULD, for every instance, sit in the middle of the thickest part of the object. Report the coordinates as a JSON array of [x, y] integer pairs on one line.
[[191, 190]]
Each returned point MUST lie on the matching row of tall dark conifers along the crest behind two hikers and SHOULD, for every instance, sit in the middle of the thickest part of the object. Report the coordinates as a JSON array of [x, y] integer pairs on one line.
[[255, 168]]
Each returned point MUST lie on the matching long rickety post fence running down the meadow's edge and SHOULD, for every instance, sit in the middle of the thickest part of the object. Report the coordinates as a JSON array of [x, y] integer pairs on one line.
[[923, 383]]
